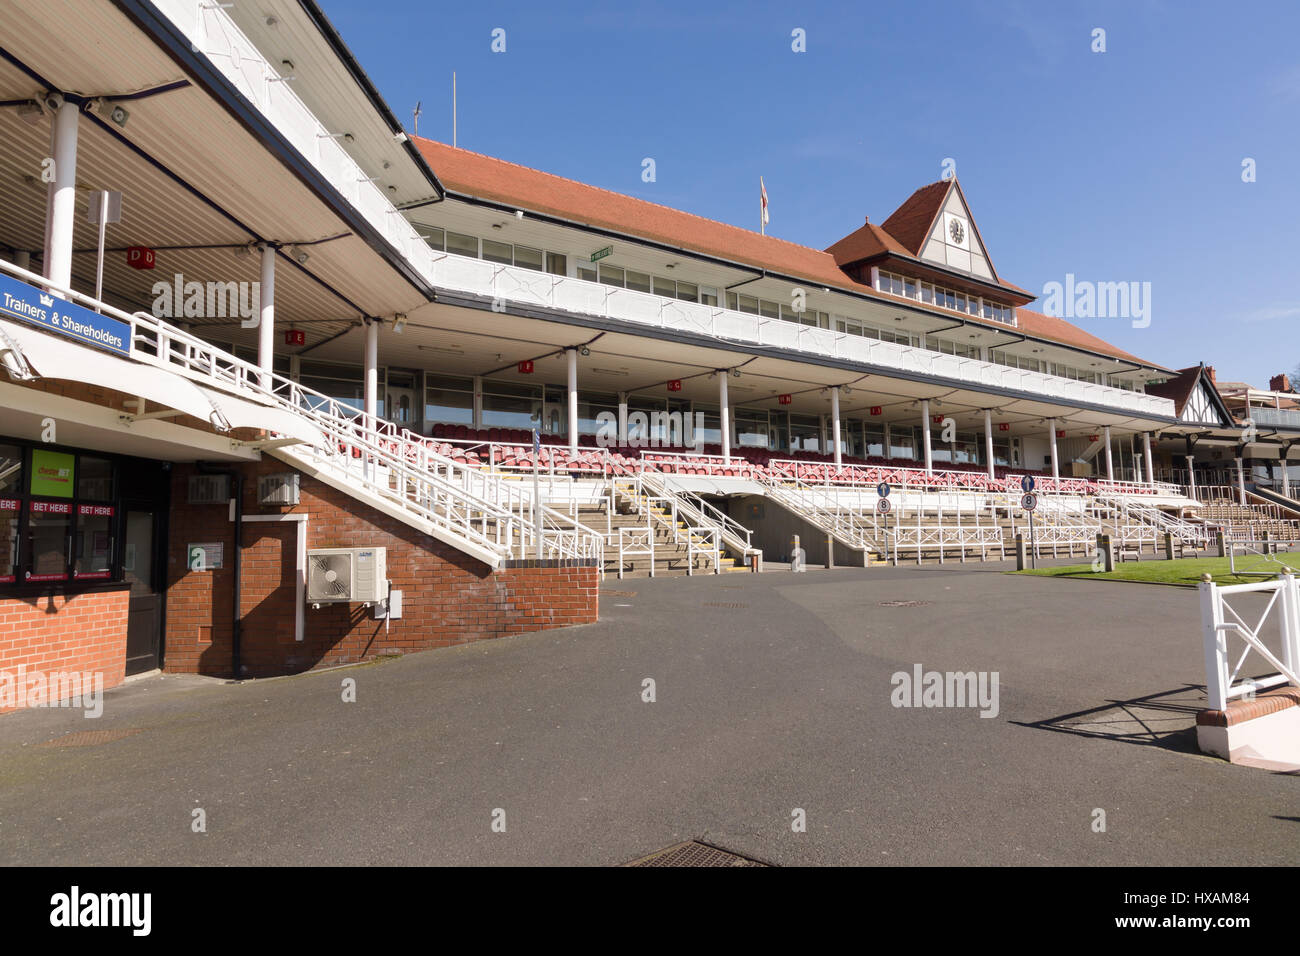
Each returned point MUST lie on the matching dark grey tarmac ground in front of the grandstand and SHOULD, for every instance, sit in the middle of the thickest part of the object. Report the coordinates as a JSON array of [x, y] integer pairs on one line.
[[772, 694]]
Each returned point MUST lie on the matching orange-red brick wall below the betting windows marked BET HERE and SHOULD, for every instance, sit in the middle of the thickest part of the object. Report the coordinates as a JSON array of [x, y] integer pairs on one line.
[[80, 633]]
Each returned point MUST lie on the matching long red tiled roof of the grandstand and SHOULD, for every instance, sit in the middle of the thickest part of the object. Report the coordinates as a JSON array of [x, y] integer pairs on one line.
[[487, 178]]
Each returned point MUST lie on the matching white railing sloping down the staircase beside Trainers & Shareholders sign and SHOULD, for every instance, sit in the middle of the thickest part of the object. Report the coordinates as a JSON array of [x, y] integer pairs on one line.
[[497, 520]]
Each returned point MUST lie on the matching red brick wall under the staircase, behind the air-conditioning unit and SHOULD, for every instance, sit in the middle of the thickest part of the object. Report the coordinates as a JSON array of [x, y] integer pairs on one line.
[[448, 596]]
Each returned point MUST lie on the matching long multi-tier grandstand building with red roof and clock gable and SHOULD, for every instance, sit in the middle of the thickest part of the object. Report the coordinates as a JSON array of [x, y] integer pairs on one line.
[[296, 425]]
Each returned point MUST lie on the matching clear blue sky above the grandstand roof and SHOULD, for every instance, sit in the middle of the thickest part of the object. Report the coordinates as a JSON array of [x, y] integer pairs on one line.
[[1124, 166]]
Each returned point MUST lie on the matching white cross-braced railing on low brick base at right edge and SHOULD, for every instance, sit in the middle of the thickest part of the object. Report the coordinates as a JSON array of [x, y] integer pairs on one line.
[[1220, 621]]
